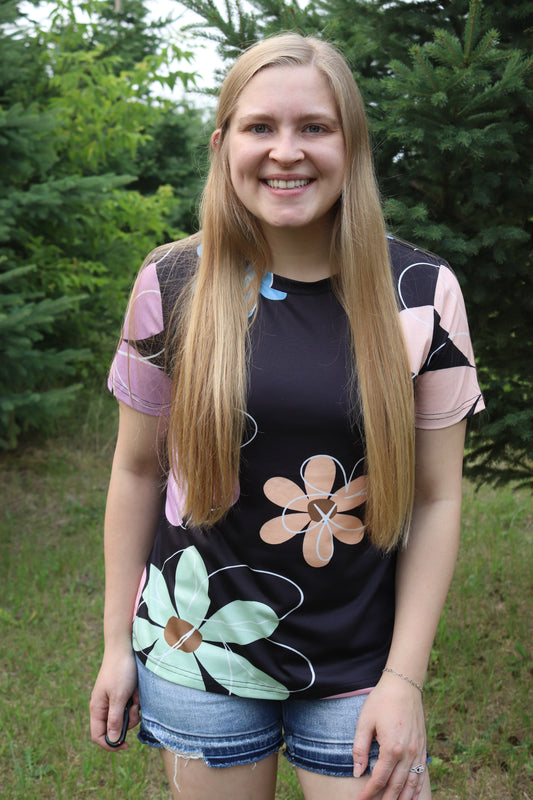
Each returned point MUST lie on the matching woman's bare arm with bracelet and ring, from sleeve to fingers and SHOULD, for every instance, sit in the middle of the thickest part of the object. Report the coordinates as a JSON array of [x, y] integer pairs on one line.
[[393, 712]]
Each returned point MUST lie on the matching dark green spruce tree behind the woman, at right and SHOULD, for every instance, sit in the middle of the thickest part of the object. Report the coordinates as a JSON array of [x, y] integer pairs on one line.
[[461, 183]]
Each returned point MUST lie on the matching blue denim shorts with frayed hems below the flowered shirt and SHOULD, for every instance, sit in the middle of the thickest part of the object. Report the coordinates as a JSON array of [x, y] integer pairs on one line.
[[226, 730]]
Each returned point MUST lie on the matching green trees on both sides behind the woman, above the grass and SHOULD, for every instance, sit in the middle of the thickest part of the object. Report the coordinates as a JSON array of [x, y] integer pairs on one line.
[[98, 165]]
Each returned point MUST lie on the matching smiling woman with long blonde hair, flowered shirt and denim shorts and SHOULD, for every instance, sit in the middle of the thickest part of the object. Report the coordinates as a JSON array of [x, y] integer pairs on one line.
[[283, 516]]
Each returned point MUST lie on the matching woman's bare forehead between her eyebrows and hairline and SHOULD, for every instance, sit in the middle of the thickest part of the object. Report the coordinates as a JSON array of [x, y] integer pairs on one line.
[[289, 88]]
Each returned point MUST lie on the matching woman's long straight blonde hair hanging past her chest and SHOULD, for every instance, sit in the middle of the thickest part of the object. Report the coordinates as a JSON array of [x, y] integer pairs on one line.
[[209, 345]]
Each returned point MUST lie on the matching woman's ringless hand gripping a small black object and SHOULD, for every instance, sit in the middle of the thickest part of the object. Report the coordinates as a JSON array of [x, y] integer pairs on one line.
[[115, 684]]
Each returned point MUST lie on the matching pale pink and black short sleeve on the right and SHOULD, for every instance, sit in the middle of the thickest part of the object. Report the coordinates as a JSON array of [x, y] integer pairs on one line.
[[440, 350]]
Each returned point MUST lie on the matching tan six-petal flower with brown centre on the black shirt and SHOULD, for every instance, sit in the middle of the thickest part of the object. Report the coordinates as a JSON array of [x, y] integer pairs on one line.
[[316, 514]]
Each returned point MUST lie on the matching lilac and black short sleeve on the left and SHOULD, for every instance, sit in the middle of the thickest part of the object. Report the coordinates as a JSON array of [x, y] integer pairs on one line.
[[137, 377]]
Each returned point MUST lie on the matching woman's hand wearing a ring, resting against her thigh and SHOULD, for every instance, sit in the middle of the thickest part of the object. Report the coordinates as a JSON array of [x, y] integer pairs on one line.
[[394, 715]]
